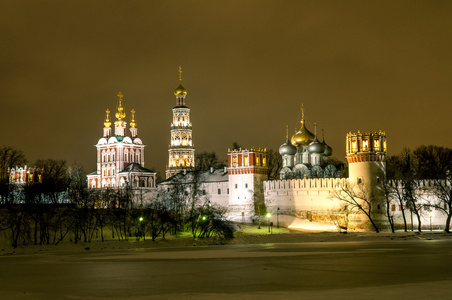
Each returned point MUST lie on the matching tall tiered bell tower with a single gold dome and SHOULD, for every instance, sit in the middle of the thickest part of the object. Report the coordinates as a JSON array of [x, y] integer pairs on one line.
[[181, 150]]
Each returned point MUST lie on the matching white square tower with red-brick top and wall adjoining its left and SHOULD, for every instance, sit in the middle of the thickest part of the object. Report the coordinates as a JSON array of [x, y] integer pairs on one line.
[[234, 187]]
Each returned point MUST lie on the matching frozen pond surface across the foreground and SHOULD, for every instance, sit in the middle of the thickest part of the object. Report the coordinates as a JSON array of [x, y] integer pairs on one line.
[[358, 270]]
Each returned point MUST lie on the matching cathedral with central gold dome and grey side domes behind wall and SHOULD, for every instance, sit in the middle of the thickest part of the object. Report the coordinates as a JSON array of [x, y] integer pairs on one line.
[[304, 156]]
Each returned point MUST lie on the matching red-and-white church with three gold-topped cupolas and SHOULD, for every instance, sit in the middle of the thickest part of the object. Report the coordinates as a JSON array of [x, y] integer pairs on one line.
[[120, 157]]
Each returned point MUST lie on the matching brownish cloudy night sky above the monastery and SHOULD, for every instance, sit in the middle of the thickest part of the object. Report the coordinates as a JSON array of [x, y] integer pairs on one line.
[[247, 66]]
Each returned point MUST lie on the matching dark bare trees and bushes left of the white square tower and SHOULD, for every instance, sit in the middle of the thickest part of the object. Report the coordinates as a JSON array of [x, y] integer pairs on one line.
[[61, 207]]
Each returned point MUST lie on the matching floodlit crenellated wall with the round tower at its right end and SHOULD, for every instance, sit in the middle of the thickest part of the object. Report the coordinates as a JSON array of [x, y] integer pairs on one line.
[[312, 199]]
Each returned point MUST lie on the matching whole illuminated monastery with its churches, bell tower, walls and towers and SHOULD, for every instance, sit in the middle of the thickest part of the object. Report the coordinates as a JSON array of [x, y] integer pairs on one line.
[[305, 195]]
